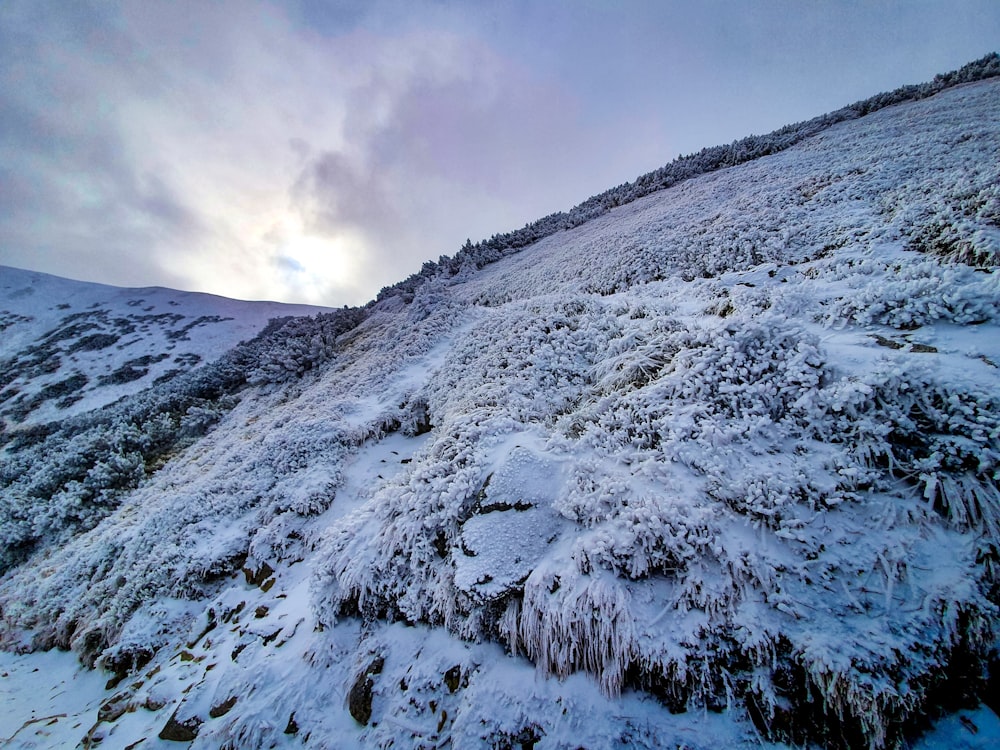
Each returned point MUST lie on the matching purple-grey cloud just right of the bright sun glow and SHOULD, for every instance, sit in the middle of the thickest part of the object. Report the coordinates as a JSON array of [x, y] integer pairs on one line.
[[443, 140]]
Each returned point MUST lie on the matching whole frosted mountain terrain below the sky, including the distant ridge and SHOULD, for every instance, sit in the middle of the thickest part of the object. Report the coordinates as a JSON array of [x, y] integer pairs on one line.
[[716, 466]]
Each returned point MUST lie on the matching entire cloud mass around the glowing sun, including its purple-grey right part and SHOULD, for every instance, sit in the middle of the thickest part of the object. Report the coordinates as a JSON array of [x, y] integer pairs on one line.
[[207, 144]]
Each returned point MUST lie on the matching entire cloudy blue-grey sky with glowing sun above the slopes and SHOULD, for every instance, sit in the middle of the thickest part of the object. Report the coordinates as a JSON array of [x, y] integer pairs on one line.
[[314, 151]]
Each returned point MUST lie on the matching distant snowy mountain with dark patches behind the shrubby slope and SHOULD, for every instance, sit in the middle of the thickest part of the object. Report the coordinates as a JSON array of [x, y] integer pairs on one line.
[[70, 346]]
